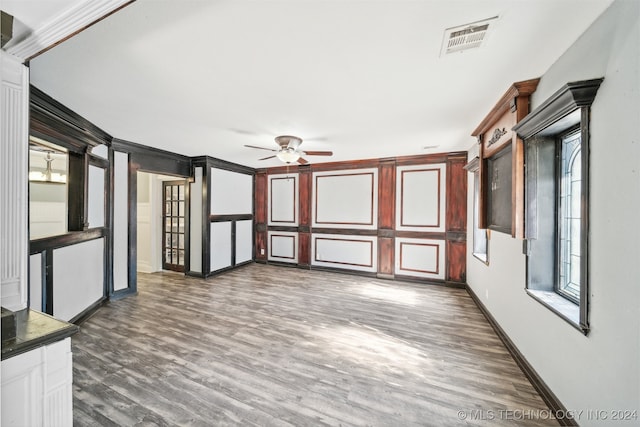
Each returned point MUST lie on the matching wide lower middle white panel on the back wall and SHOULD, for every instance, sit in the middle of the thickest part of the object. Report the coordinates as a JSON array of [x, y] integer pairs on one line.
[[347, 252]]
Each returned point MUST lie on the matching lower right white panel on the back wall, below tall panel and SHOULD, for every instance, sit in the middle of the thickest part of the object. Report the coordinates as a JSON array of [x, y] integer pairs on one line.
[[420, 258]]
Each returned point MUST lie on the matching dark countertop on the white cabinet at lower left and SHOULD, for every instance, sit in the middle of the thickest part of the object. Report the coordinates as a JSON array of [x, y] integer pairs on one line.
[[33, 330]]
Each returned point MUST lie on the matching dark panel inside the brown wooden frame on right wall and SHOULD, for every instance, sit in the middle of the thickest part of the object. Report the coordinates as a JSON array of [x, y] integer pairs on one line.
[[499, 190]]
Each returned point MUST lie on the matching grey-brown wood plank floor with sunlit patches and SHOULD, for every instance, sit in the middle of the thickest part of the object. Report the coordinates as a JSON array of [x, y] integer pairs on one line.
[[275, 346]]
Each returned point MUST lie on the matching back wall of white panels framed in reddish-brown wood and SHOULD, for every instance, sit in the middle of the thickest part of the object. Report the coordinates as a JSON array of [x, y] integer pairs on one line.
[[399, 217]]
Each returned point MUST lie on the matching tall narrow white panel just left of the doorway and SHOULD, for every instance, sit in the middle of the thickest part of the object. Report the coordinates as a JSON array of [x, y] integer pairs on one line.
[[120, 221]]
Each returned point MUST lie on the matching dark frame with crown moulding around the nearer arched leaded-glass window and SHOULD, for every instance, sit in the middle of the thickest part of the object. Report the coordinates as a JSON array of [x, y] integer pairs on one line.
[[566, 110]]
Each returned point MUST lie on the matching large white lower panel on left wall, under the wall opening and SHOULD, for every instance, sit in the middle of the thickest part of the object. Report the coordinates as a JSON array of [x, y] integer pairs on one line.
[[78, 277]]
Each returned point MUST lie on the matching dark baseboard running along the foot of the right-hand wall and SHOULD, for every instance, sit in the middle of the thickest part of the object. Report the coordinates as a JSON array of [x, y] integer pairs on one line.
[[541, 387]]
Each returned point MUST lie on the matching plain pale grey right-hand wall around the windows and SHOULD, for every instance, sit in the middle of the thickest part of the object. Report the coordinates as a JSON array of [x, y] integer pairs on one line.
[[599, 371]]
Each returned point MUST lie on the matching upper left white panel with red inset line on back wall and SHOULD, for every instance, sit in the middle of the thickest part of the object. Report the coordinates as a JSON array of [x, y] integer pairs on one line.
[[283, 199]]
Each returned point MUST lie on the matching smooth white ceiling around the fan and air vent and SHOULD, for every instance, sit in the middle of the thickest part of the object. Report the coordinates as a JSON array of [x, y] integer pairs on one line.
[[362, 78]]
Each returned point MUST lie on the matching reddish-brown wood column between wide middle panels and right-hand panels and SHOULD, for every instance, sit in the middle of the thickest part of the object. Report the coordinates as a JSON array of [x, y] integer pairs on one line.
[[386, 218]]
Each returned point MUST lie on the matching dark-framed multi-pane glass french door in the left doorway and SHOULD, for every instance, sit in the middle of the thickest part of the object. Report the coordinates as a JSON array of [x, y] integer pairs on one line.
[[173, 225]]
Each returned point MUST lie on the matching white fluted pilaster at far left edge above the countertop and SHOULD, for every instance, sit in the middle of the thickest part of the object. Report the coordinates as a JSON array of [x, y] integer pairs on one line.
[[14, 127]]
